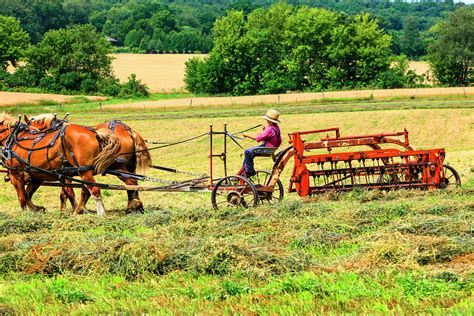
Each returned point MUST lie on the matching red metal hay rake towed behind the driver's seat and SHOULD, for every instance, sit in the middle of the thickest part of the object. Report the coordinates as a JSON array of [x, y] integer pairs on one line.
[[377, 168]]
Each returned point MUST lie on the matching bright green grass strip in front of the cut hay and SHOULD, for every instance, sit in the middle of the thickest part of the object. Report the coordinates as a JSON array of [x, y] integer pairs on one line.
[[182, 292]]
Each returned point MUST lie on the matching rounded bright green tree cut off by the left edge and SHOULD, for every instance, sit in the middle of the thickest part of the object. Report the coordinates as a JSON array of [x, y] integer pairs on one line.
[[13, 41]]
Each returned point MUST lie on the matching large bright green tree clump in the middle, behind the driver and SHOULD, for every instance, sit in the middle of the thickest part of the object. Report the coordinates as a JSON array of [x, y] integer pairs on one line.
[[313, 49]]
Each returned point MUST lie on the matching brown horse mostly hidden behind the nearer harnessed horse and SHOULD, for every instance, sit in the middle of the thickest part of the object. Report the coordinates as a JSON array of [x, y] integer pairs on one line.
[[133, 155]]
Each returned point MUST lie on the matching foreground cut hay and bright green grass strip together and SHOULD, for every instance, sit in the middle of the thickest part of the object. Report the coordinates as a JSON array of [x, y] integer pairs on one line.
[[358, 253]]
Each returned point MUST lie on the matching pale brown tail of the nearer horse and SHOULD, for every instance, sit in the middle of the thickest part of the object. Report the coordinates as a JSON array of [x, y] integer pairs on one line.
[[109, 151]]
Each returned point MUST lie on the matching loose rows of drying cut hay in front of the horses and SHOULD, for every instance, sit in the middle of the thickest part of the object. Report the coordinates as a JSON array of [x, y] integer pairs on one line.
[[335, 235]]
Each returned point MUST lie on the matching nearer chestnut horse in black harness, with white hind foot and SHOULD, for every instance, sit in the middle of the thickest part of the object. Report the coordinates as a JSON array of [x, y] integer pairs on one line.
[[37, 157]]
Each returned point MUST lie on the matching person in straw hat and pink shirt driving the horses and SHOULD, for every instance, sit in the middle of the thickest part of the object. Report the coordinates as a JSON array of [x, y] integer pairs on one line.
[[270, 137]]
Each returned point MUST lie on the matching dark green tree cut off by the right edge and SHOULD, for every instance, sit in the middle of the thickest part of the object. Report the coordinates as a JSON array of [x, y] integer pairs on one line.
[[452, 54]]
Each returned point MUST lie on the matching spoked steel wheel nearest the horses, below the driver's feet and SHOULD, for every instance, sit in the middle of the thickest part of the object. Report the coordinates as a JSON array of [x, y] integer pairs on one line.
[[234, 191]]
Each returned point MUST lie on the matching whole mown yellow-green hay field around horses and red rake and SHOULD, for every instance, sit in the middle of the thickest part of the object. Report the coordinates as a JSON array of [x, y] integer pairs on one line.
[[358, 252]]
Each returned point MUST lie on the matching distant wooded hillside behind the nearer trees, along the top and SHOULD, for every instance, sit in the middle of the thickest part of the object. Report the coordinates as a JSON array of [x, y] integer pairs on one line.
[[186, 25]]
